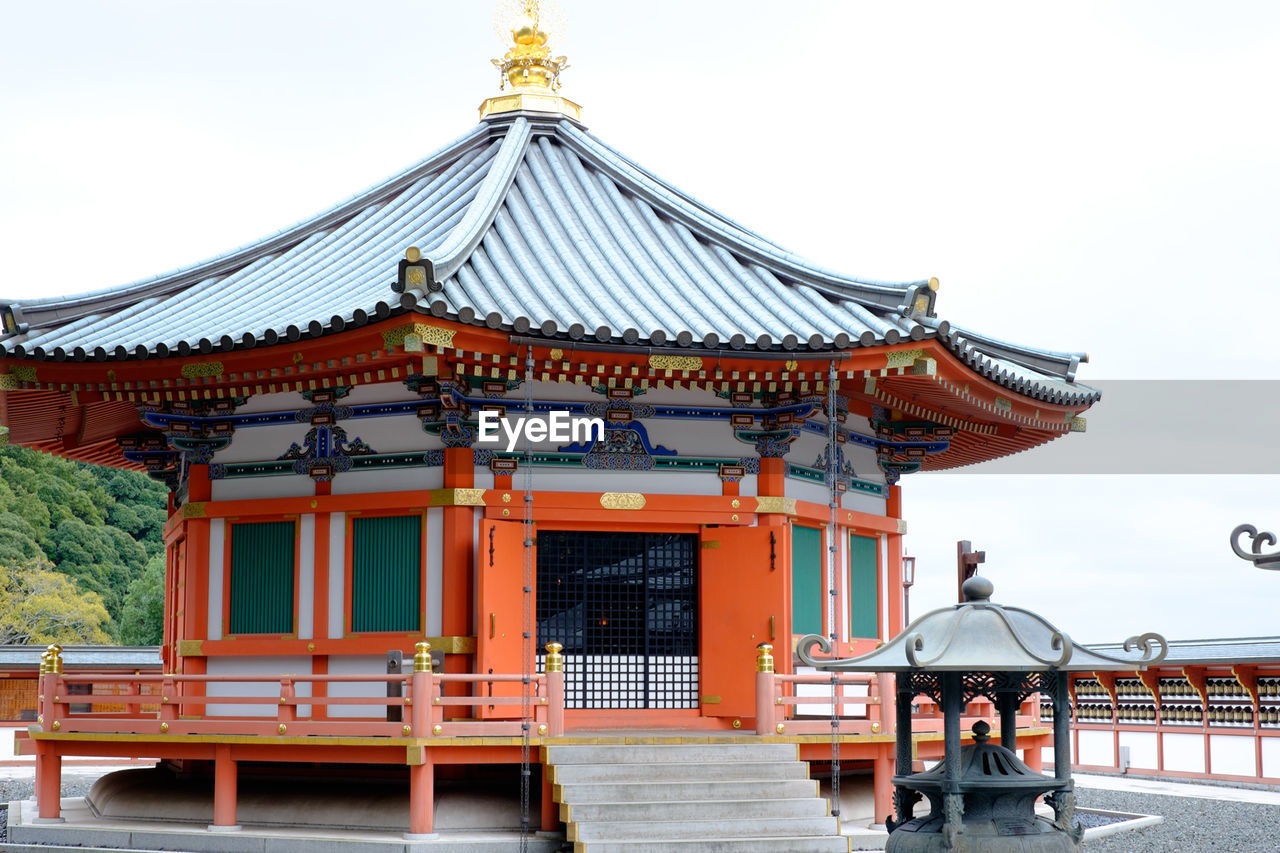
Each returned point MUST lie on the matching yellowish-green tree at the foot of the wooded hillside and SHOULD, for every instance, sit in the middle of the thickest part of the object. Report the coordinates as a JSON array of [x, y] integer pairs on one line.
[[39, 606]]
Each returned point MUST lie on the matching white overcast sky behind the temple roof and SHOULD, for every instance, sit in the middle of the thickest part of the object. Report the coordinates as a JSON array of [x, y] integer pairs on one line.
[[1089, 176]]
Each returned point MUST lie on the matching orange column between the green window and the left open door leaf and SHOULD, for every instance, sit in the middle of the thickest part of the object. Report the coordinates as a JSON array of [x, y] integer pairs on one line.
[[458, 532]]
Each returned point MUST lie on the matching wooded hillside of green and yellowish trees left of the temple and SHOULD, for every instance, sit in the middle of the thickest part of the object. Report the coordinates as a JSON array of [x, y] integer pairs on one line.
[[84, 536]]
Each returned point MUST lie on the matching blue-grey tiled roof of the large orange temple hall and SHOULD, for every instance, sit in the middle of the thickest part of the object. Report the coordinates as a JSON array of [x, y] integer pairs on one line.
[[537, 227]]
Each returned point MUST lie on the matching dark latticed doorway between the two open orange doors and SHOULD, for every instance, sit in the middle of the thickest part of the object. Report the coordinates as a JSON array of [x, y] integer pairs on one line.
[[625, 606]]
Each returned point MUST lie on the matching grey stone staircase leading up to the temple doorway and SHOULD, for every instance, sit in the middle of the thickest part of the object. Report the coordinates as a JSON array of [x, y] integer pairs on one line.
[[691, 797]]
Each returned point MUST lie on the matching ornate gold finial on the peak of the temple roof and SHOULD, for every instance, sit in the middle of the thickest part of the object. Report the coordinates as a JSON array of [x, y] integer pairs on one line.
[[529, 70]]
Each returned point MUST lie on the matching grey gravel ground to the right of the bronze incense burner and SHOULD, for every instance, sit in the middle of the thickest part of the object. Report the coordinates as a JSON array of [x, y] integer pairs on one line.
[[1192, 825]]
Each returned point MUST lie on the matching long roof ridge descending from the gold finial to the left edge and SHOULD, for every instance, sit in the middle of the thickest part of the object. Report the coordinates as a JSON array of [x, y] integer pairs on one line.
[[61, 309]]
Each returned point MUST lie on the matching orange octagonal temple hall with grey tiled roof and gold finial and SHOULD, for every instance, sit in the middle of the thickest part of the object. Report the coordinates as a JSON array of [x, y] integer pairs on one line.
[[330, 409]]
